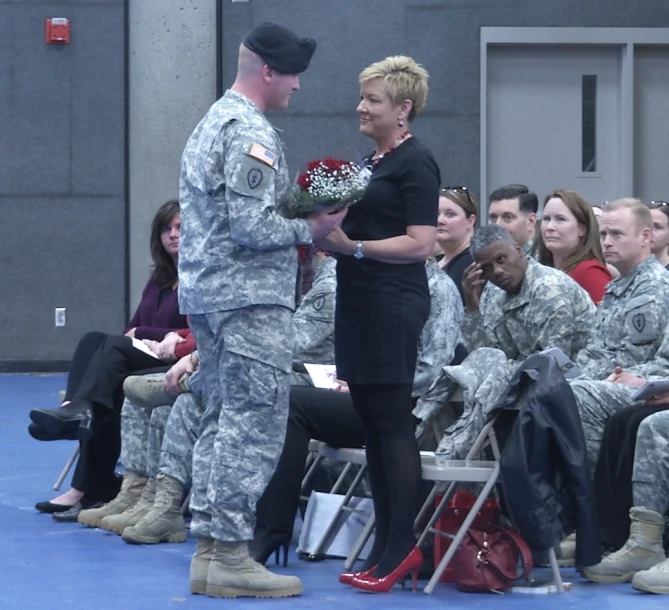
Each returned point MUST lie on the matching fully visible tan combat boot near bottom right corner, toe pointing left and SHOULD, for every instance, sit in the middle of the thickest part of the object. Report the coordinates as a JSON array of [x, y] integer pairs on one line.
[[642, 550]]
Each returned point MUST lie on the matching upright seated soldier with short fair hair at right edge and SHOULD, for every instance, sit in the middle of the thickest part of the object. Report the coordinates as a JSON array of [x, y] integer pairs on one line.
[[630, 328]]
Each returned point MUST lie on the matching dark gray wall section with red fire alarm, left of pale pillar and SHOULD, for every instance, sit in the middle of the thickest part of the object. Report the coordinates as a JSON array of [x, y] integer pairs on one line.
[[62, 176]]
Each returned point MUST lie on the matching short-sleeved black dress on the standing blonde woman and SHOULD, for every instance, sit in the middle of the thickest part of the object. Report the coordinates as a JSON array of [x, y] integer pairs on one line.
[[381, 308]]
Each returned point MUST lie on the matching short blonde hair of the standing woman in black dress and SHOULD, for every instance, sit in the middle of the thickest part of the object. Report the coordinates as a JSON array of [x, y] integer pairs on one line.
[[403, 79]]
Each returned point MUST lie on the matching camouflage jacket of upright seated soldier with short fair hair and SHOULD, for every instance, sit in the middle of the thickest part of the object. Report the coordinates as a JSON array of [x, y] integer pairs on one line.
[[630, 325]]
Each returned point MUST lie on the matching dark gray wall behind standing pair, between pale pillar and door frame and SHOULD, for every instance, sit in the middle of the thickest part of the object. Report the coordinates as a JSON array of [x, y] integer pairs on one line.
[[443, 35]]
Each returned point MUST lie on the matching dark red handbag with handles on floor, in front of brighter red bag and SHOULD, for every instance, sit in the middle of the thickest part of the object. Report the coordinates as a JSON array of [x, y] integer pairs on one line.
[[491, 560]]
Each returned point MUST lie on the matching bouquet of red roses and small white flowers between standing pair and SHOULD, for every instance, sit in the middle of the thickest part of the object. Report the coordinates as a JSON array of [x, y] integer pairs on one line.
[[326, 183]]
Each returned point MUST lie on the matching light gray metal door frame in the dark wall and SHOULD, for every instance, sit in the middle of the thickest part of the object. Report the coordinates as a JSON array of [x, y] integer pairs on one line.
[[626, 39]]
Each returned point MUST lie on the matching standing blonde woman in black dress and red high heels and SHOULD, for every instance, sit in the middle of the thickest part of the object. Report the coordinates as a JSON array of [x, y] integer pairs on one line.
[[383, 302]]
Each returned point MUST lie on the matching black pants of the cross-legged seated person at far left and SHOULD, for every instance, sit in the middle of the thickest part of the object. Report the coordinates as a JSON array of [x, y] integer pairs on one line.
[[102, 385]]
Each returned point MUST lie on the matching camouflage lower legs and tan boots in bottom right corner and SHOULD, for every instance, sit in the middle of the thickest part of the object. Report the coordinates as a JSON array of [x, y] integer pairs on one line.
[[642, 559]]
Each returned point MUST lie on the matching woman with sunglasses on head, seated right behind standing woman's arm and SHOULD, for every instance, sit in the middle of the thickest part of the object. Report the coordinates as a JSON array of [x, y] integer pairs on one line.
[[458, 211]]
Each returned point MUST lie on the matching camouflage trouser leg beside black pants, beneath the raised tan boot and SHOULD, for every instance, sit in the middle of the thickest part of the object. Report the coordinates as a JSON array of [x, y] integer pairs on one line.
[[142, 432]]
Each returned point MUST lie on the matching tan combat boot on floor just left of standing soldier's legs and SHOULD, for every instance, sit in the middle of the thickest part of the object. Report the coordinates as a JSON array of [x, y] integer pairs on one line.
[[164, 521]]
